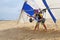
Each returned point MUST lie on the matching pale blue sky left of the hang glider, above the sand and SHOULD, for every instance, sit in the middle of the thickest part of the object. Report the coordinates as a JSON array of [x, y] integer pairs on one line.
[[10, 9]]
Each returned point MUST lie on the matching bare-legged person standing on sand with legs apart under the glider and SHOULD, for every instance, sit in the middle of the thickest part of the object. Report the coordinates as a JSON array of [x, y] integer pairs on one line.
[[39, 17]]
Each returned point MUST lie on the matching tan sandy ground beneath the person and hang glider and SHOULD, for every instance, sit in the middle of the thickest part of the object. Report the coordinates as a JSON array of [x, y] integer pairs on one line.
[[9, 30]]
